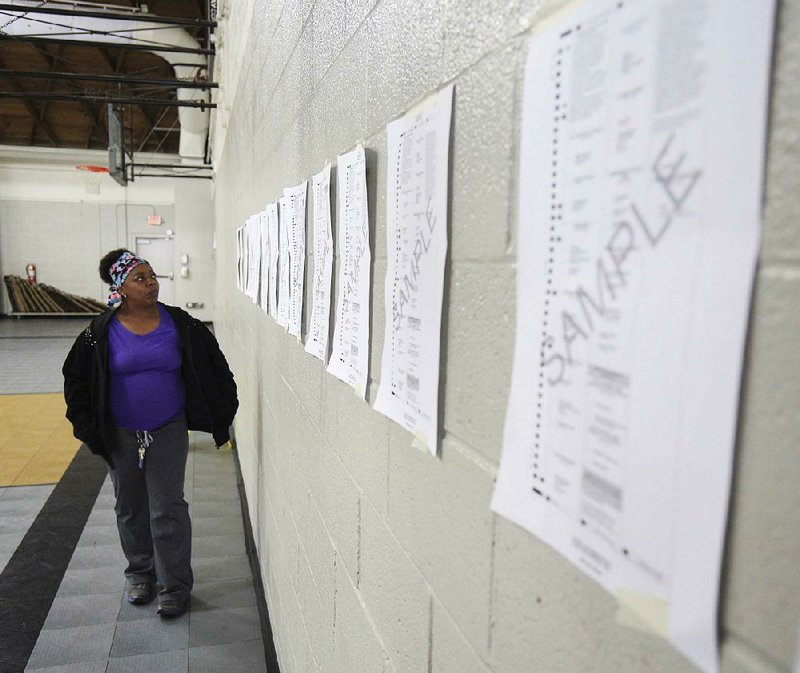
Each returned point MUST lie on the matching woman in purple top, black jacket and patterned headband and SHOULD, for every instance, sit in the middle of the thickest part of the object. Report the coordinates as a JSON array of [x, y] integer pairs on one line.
[[135, 381]]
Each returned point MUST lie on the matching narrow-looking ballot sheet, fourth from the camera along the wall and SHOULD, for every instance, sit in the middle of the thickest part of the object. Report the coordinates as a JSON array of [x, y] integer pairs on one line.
[[319, 324]]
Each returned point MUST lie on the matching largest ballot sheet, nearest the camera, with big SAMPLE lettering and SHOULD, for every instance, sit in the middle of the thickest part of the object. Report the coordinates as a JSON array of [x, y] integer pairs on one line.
[[639, 204]]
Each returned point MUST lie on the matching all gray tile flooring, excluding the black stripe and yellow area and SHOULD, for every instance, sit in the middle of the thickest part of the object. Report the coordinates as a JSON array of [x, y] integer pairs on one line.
[[90, 627]]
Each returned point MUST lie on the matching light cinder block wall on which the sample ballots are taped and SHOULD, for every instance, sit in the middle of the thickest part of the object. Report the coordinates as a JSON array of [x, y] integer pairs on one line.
[[375, 556]]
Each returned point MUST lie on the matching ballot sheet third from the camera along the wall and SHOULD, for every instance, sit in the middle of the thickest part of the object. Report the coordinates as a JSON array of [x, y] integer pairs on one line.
[[350, 357]]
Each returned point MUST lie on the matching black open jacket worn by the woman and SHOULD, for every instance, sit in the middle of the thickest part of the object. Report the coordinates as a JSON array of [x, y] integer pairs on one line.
[[211, 400]]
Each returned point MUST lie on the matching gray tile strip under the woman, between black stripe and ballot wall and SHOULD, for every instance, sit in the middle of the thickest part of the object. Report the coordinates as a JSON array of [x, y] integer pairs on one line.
[[91, 627]]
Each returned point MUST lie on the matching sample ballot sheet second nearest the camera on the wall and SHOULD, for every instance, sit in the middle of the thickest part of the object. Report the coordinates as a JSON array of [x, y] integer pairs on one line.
[[416, 242]]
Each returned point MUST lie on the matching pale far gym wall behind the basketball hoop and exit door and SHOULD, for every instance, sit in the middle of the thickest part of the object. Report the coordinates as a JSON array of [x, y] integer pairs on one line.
[[65, 220]]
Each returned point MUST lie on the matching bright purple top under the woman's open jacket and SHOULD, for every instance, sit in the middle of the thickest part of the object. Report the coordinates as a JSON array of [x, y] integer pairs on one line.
[[146, 385]]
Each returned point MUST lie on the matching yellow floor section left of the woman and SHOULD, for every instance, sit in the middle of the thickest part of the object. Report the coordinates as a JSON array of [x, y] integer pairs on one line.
[[36, 442]]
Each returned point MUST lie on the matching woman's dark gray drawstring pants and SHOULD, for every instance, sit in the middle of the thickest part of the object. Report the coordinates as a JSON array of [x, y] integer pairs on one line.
[[152, 515]]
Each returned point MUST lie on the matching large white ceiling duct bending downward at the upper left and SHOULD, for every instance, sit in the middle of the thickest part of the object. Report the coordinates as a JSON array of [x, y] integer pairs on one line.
[[187, 63]]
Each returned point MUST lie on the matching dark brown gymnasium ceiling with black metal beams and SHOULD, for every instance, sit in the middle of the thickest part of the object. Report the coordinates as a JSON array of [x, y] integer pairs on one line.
[[42, 104]]
